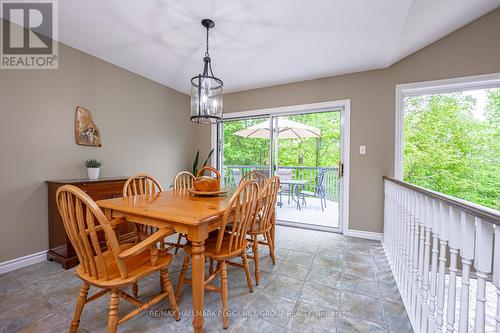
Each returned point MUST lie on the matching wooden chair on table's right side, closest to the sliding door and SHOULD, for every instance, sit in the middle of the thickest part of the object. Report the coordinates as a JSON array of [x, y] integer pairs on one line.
[[263, 223]]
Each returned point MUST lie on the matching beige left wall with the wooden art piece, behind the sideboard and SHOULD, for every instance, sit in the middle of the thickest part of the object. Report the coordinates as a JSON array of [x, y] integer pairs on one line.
[[144, 126]]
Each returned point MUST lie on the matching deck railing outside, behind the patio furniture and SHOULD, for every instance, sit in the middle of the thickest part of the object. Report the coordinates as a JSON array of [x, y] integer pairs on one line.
[[298, 172]]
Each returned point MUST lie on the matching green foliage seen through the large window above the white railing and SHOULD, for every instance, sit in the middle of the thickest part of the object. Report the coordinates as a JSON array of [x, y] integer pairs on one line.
[[450, 149]]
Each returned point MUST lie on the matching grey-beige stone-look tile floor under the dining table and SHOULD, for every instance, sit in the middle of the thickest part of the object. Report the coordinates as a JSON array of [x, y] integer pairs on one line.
[[322, 282]]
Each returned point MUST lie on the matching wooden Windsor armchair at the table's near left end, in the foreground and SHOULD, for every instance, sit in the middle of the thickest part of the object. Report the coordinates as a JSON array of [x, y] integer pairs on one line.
[[115, 266]]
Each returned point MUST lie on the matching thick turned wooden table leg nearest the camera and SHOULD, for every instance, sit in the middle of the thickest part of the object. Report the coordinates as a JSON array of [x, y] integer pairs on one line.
[[198, 281]]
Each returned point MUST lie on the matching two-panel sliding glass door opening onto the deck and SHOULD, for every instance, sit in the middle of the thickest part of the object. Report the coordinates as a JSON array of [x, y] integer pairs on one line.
[[303, 149]]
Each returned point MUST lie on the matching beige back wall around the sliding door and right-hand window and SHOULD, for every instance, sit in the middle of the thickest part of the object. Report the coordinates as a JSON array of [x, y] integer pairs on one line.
[[472, 50]]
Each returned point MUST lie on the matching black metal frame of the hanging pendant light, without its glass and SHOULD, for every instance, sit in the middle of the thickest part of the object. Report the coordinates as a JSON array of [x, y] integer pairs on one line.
[[202, 116]]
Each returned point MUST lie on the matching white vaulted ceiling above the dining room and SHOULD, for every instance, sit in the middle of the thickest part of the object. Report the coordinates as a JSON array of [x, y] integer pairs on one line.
[[261, 42]]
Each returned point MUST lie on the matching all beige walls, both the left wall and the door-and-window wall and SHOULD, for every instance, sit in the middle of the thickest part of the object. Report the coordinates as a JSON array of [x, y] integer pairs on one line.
[[145, 126]]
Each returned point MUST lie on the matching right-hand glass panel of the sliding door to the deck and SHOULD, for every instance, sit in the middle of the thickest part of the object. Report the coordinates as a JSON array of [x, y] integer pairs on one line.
[[307, 155]]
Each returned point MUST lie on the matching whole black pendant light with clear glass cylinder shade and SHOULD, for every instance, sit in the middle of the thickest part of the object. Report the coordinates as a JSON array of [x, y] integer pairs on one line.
[[206, 90]]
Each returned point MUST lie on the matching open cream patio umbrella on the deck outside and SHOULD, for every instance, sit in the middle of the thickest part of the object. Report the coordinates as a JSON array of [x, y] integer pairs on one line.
[[287, 129]]
